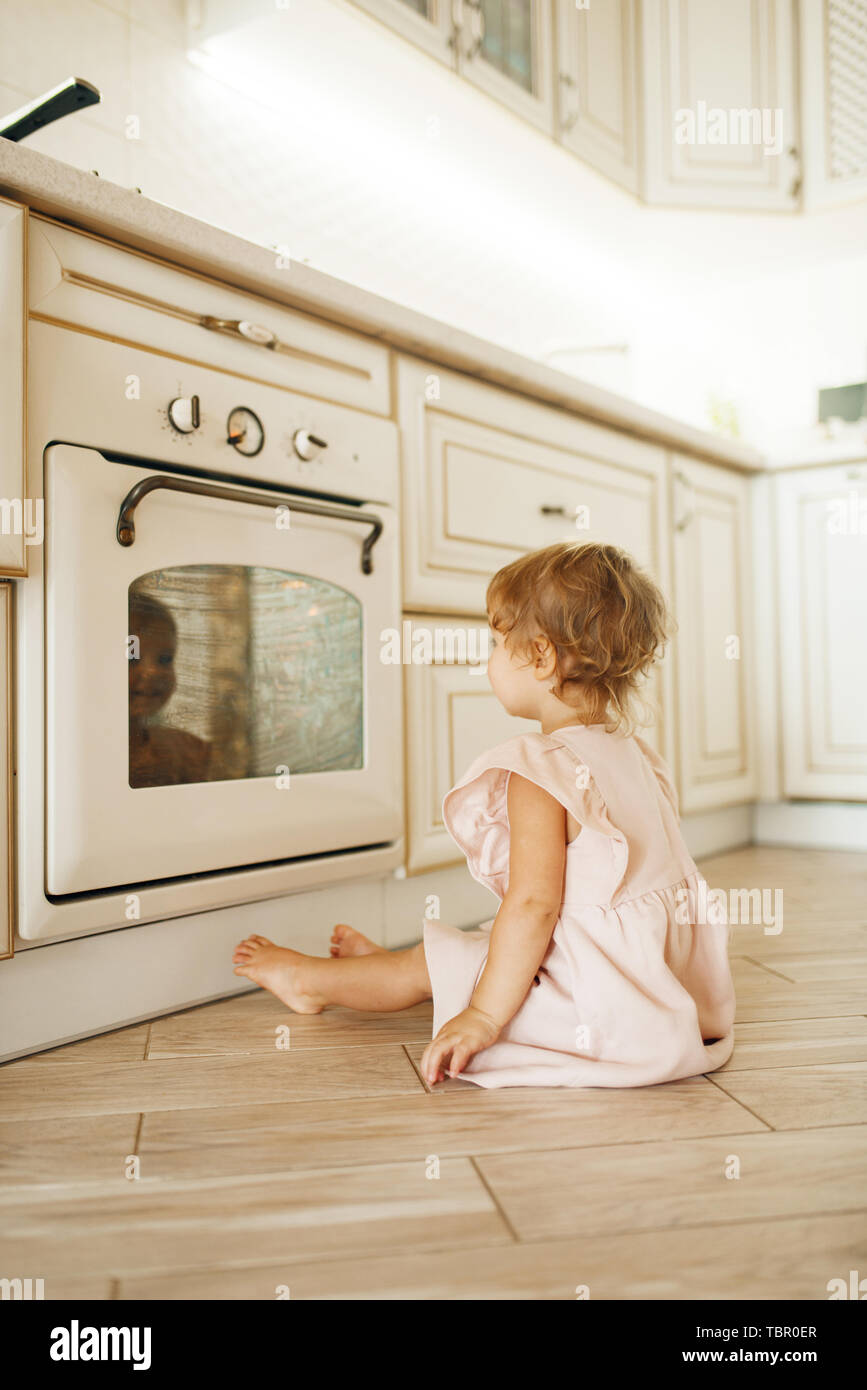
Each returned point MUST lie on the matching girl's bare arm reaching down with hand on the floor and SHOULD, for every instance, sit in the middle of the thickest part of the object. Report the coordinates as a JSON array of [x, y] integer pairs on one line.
[[522, 931]]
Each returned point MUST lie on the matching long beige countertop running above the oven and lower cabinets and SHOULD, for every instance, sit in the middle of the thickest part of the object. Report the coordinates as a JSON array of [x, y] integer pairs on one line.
[[124, 216]]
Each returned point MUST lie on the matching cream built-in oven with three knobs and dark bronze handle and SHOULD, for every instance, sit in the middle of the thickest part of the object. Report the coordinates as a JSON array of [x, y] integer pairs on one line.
[[209, 721]]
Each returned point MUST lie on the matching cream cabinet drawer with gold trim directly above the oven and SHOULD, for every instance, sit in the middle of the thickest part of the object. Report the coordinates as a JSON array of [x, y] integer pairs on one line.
[[117, 294]]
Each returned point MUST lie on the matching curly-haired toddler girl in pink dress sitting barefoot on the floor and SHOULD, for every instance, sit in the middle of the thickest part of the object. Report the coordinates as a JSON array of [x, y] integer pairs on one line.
[[594, 971]]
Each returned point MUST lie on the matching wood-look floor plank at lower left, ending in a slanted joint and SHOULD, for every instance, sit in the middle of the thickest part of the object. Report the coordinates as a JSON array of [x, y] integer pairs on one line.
[[152, 1225]]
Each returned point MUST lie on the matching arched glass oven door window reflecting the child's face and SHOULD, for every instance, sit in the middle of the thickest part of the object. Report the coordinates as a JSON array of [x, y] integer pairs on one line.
[[242, 672]]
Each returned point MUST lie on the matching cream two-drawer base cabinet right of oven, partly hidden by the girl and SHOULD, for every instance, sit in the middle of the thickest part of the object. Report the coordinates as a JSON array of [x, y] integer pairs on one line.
[[488, 476]]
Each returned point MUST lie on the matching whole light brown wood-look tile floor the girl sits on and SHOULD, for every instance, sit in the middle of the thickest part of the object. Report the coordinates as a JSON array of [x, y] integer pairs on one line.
[[329, 1171]]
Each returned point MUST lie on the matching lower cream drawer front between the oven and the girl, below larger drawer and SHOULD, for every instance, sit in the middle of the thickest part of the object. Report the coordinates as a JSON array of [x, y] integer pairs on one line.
[[452, 717]]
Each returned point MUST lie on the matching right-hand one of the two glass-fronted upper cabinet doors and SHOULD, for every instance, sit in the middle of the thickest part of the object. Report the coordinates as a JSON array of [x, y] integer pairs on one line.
[[506, 49]]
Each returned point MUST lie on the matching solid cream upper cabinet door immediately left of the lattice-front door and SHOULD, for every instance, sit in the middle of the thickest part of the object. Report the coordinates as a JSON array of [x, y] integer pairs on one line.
[[719, 104]]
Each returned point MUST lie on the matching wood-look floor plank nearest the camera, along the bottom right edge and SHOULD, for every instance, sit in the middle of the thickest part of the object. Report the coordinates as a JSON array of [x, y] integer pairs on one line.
[[779, 1260]]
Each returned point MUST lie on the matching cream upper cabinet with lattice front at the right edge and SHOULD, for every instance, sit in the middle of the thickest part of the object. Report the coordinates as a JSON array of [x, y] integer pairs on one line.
[[834, 101]]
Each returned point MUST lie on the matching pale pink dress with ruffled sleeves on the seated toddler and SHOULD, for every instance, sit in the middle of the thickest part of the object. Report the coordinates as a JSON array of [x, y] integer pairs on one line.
[[631, 992]]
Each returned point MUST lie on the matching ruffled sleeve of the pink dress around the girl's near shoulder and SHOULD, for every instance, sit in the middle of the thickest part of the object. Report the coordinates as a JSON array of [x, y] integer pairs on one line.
[[476, 811]]
